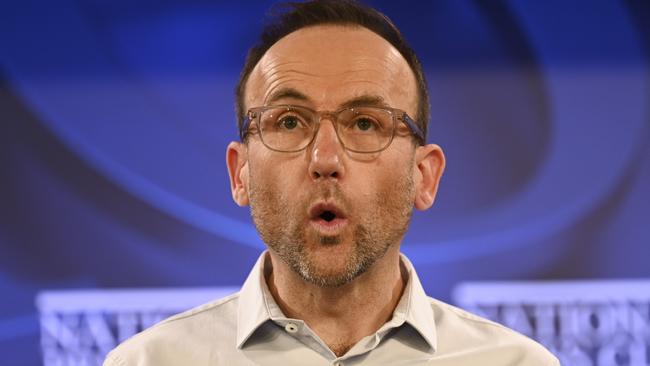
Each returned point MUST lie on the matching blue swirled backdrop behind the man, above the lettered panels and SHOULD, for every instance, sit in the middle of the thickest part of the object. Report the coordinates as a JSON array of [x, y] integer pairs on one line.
[[115, 115]]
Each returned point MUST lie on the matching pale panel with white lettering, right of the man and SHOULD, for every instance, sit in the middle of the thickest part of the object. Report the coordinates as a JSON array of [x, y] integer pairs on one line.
[[584, 323]]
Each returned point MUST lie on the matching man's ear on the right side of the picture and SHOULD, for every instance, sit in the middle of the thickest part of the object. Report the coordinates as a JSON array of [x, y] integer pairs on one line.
[[429, 166]]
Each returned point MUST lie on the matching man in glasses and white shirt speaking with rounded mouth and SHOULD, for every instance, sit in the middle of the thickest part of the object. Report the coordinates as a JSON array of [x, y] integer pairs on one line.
[[332, 164]]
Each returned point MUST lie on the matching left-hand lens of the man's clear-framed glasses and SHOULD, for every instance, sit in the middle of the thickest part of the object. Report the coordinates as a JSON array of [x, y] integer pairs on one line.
[[286, 128]]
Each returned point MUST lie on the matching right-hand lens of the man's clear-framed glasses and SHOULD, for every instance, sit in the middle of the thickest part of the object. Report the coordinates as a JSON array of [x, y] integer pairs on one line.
[[366, 129]]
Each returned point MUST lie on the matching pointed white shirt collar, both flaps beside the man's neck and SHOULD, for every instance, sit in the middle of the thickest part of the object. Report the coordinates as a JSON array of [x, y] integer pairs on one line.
[[256, 305]]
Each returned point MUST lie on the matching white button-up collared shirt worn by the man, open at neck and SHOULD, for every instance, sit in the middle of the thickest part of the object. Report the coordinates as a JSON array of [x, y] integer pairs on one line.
[[248, 328]]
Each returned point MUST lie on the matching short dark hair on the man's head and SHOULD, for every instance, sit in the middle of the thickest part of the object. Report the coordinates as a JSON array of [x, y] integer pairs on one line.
[[344, 12]]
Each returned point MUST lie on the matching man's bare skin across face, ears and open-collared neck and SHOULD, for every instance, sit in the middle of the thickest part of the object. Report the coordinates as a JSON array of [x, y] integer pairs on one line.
[[343, 283]]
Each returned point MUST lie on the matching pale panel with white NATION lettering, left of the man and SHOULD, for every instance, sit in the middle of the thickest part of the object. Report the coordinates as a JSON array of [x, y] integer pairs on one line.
[[79, 327]]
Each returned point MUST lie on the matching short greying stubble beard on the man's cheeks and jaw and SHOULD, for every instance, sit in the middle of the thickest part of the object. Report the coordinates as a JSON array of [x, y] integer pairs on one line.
[[379, 227]]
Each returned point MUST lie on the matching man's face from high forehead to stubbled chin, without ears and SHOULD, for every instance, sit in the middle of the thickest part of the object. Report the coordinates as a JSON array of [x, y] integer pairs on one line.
[[328, 213]]
